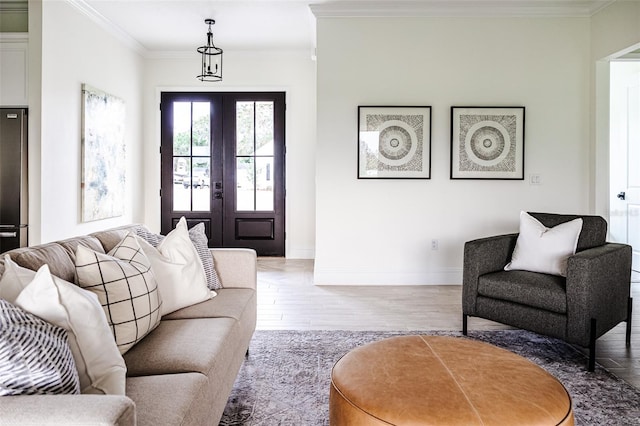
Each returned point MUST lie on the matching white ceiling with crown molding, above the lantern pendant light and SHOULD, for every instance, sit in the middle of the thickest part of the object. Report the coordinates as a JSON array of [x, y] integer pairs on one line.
[[155, 27]]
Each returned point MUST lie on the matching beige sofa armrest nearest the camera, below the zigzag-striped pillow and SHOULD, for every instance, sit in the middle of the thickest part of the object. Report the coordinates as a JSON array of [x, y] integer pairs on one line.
[[44, 410]]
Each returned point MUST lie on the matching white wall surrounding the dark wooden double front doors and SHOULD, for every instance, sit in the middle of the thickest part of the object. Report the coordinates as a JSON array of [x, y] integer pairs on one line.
[[291, 72]]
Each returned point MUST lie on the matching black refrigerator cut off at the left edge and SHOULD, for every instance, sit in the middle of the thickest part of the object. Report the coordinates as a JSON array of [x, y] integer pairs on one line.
[[13, 178]]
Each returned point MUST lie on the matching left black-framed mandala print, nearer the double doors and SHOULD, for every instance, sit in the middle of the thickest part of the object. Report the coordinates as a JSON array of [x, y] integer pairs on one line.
[[394, 142]]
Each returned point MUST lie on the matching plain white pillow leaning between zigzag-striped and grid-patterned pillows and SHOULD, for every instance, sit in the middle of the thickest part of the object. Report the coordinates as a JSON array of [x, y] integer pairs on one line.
[[100, 366]]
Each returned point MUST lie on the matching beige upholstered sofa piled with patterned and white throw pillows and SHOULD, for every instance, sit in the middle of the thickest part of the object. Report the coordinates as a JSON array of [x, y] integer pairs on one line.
[[180, 374]]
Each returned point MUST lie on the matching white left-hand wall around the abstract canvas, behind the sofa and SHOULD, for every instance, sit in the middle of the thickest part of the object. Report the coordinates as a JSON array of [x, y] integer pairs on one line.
[[74, 51]]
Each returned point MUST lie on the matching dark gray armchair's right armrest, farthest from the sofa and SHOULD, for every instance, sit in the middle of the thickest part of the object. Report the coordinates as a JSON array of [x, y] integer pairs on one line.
[[598, 286]]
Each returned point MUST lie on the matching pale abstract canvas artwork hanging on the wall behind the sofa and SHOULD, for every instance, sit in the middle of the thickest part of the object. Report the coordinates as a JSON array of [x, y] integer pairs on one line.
[[103, 155]]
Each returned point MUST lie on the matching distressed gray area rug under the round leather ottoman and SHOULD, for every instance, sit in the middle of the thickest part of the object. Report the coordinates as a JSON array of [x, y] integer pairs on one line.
[[286, 378]]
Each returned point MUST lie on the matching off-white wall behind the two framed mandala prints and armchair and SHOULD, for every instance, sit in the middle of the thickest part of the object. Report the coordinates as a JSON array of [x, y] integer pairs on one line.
[[379, 231]]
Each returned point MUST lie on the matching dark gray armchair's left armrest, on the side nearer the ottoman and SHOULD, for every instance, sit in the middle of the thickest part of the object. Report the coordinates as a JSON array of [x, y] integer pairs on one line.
[[482, 256]]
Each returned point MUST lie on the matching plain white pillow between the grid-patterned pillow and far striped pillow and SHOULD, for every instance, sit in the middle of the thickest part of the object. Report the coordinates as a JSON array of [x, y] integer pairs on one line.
[[178, 287]]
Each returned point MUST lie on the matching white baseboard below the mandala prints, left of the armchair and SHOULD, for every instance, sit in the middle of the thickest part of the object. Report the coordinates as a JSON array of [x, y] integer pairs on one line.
[[441, 276]]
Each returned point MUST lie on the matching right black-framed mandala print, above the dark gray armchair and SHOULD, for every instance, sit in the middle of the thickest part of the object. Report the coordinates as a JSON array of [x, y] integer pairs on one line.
[[487, 143]]
